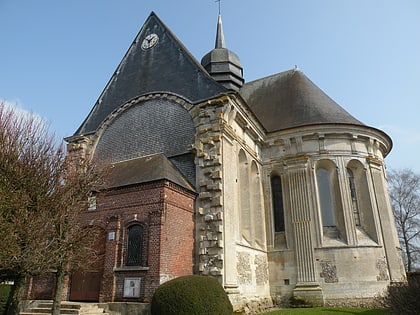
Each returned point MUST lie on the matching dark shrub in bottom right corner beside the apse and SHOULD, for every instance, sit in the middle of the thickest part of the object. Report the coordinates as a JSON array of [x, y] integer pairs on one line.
[[403, 298]]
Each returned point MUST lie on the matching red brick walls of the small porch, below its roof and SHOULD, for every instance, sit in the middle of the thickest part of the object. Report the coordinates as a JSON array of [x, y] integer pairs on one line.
[[166, 213]]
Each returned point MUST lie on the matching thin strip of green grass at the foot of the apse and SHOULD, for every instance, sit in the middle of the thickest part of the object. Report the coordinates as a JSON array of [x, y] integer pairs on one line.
[[327, 311]]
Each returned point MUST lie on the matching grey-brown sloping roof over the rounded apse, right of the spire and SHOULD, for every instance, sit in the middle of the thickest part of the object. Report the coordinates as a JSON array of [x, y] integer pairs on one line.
[[289, 99]]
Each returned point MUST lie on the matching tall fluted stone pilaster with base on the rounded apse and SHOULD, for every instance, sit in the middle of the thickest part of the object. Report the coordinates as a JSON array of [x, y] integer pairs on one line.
[[307, 288]]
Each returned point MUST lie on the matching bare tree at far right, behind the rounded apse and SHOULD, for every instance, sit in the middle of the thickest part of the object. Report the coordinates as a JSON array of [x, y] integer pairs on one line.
[[405, 198]]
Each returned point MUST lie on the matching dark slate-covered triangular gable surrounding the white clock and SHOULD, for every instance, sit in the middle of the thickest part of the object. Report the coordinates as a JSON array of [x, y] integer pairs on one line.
[[167, 67]]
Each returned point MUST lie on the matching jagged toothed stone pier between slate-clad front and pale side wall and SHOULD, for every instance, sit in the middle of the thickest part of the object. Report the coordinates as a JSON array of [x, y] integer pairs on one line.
[[206, 119]]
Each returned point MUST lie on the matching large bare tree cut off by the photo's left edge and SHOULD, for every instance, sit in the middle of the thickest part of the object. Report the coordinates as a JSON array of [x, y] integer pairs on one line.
[[29, 168]]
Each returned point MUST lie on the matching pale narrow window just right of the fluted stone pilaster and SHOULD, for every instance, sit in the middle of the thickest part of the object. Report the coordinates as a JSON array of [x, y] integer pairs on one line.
[[325, 196]]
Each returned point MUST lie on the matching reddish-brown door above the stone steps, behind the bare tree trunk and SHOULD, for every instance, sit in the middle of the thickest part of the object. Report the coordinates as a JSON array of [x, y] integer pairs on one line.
[[85, 286]]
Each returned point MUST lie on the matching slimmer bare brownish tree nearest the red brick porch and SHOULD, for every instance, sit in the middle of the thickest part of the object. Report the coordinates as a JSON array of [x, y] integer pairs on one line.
[[71, 241]]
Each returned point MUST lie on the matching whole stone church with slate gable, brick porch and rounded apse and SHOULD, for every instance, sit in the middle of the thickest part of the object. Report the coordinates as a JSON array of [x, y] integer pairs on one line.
[[269, 186]]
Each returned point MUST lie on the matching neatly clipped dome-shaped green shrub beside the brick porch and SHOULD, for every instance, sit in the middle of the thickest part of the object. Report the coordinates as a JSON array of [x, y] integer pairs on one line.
[[198, 295]]
